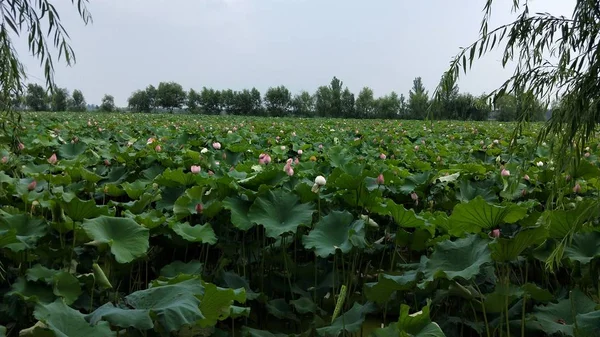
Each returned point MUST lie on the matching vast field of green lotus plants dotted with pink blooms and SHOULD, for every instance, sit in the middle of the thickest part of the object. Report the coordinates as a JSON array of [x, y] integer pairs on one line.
[[165, 225]]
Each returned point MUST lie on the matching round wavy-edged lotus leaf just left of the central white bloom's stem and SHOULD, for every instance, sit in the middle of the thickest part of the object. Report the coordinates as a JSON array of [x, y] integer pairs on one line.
[[280, 212]]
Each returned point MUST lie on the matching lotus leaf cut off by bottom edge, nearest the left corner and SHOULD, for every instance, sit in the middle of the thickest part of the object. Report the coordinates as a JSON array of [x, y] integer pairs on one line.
[[67, 322]]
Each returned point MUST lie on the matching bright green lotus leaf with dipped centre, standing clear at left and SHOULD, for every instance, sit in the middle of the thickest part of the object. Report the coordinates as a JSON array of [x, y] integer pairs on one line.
[[127, 240]]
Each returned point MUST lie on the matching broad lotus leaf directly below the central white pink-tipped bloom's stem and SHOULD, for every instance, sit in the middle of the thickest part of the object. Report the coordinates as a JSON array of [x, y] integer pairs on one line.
[[336, 230]]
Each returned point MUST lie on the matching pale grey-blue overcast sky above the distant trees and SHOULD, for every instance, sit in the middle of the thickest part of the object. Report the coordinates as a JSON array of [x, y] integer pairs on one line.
[[302, 44]]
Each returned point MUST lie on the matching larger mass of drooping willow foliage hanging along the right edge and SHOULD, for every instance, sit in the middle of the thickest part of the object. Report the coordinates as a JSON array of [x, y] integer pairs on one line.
[[557, 59]]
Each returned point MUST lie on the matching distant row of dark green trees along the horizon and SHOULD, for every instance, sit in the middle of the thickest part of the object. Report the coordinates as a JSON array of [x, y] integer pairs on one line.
[[333, 100]]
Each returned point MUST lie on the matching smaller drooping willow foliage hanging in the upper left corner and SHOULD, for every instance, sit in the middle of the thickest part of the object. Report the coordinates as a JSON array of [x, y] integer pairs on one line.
[[40, 22]]
